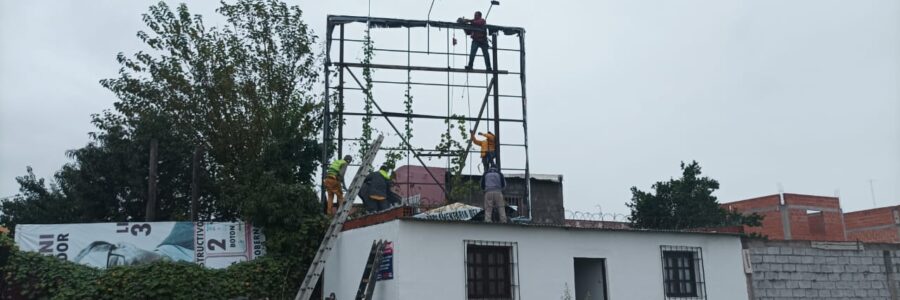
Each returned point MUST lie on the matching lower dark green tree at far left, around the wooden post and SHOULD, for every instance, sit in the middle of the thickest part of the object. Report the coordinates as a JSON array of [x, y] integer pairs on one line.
[[107, 180]]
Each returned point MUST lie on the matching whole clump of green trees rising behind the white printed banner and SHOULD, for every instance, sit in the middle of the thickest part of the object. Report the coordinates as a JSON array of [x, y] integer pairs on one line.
[[243, 91]]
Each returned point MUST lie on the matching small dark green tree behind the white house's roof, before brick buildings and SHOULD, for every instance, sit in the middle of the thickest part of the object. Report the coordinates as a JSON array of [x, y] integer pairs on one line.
[[684, 203]]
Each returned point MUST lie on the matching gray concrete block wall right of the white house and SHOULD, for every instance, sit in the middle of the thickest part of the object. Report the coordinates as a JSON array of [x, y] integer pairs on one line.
[[806, 270]]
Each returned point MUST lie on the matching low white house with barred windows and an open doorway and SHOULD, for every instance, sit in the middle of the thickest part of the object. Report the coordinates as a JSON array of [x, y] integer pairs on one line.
[[472, 260]]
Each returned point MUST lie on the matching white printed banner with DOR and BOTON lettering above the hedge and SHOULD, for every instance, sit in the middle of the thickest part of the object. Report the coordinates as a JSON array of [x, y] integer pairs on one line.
[[213, 244]]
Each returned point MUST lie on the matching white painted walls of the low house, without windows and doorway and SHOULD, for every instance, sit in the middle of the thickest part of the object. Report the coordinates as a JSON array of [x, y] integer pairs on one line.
[[429, 260]]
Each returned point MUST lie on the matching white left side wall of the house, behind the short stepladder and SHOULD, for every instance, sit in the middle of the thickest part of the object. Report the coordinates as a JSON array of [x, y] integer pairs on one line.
[[344, 268]]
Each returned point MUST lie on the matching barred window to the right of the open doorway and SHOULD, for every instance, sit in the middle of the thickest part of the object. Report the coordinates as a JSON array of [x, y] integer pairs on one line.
[[683, 272]]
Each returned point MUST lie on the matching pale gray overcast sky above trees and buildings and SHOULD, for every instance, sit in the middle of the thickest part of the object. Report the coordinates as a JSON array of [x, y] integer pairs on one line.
[[804, 93]]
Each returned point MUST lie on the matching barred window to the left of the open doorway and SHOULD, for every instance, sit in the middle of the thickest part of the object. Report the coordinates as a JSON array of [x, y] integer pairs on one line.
[[490, 271]]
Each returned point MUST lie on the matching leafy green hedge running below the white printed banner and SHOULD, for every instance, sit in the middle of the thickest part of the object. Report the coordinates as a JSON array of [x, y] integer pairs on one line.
[[36, 276]]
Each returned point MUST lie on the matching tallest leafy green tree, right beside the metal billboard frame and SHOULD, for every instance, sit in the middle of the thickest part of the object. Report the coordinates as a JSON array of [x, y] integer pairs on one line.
[[245, 92]]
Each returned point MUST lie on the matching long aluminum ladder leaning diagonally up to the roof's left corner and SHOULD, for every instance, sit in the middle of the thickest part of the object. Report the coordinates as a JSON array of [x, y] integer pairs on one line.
[[337, 223]]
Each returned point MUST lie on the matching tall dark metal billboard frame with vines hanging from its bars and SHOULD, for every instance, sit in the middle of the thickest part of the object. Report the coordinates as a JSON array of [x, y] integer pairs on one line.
[[381, 100]]
